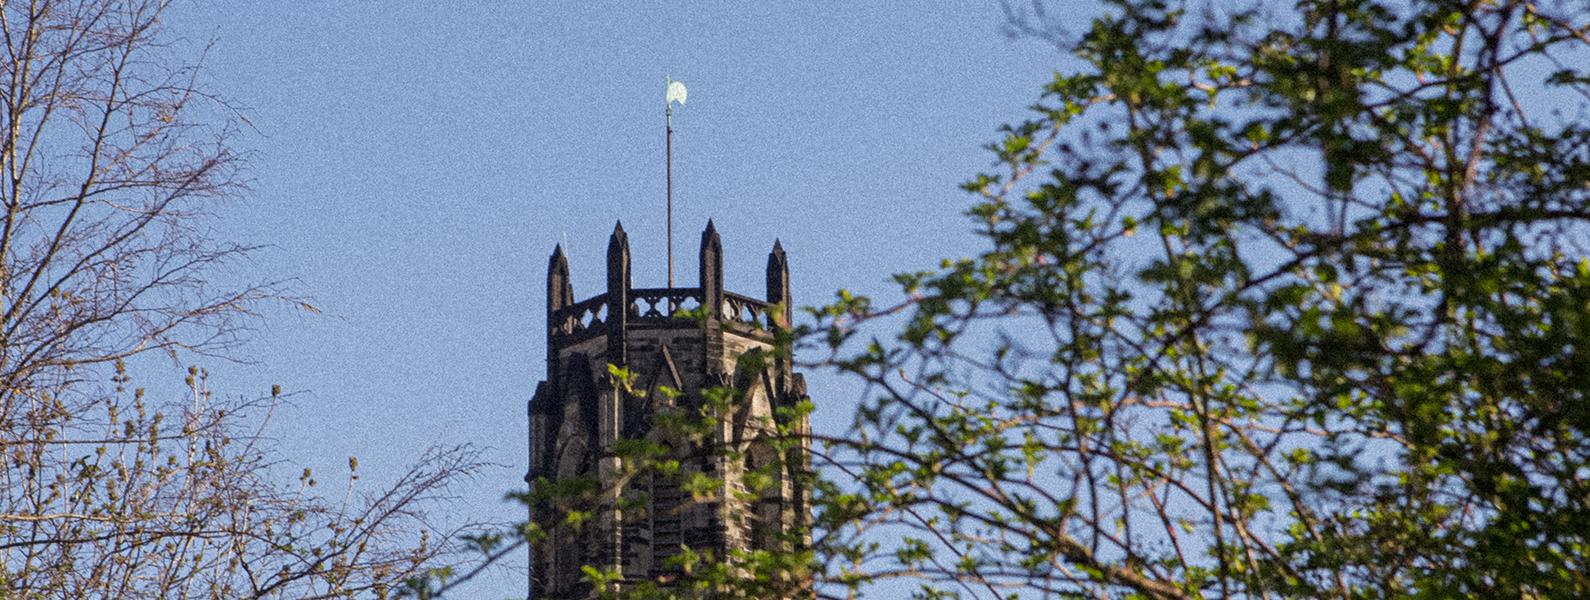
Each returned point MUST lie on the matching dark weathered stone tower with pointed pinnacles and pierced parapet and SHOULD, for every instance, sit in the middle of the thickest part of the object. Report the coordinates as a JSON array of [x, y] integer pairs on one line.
[[686, 340]]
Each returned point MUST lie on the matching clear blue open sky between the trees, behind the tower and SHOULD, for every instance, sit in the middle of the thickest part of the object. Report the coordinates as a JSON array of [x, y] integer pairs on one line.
[[414, 166]]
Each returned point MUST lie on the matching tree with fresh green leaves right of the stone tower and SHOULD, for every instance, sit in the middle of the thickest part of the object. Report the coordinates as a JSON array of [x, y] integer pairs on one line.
[[1276, 302]]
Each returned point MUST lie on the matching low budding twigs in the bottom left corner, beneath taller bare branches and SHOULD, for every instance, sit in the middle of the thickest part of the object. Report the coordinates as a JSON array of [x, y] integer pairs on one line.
[[142, 499]]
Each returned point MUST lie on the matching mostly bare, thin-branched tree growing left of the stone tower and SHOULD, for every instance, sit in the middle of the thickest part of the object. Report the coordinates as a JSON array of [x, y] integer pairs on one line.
[[114, 157]]
